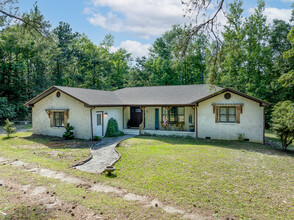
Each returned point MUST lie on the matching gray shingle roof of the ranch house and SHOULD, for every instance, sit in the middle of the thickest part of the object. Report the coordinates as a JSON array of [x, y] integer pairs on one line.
[[148, 96]]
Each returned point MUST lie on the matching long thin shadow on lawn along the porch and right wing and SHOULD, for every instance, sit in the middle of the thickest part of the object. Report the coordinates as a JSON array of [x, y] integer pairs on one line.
[[236, 145]]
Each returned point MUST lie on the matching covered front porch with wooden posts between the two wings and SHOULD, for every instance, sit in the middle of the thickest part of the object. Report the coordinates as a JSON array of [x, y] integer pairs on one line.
[[160, 120]]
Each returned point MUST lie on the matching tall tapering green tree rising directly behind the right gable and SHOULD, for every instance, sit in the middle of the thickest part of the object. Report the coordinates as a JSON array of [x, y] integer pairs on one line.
[[226, 66]]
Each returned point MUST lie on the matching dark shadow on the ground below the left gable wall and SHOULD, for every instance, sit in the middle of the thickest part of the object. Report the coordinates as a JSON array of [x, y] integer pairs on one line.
[[59, 143]]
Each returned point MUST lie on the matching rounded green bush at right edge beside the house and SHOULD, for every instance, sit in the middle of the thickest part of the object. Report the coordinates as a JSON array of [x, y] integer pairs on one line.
[[283, 122]]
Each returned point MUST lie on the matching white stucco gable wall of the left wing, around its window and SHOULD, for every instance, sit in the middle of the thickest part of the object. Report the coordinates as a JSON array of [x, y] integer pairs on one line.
[[79, 116]]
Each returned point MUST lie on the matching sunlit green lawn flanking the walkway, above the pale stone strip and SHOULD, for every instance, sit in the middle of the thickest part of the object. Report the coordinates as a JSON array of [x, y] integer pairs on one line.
[[224, 178]]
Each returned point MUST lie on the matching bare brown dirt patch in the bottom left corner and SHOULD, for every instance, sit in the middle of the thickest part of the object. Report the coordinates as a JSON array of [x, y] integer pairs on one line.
[[36, 202]]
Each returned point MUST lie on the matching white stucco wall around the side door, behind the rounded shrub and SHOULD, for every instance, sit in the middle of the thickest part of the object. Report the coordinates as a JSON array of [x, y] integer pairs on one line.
[[112, 112]]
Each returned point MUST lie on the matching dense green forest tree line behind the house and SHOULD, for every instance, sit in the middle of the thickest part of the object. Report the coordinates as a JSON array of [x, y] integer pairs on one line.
[[254, 57]]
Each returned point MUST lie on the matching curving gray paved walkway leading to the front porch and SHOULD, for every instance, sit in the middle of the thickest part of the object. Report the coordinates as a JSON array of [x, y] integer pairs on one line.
[[104, 154]]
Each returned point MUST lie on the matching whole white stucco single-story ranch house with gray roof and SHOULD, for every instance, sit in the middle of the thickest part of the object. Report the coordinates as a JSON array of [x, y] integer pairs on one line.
[[200, 111]]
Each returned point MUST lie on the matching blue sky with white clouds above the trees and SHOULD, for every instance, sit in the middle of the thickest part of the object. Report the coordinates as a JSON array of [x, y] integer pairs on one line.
[[135, 24]]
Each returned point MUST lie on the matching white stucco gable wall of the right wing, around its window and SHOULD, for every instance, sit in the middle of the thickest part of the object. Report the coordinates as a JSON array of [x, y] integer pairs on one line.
[[251, 120]]
